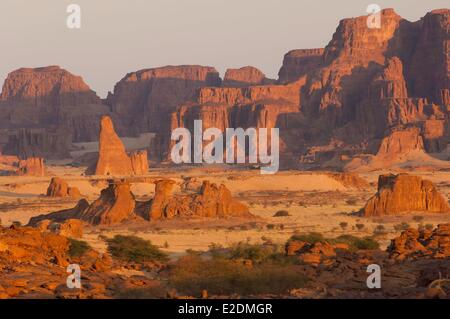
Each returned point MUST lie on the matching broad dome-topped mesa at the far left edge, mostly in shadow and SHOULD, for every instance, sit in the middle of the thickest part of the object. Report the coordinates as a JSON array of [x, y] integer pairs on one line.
[[45, 109]]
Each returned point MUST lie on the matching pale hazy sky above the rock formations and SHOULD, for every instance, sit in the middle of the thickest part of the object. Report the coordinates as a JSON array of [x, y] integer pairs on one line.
[[117, 37]]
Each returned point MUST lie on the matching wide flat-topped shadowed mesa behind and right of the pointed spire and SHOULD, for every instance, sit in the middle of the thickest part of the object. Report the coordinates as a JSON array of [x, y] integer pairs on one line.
[[144, 99]]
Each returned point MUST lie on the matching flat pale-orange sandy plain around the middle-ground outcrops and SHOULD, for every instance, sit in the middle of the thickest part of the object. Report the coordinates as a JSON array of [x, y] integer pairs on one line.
[[315, 202]]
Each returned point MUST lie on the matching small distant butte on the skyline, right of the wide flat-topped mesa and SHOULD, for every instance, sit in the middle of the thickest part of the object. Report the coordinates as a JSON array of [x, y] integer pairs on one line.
[[245, 76]]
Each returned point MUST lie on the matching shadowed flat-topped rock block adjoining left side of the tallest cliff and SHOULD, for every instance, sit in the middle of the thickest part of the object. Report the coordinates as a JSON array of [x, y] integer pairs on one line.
[[298, 63]]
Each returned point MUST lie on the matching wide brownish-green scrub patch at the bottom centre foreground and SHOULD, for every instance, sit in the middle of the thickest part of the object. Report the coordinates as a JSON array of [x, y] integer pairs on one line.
[[192, 274]]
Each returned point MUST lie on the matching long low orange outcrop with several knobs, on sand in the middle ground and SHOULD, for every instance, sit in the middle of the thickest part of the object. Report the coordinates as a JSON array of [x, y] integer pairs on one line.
[[117, 204]]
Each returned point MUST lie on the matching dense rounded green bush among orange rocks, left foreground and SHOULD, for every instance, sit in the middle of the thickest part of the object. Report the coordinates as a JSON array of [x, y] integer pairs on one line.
[[132, 248]]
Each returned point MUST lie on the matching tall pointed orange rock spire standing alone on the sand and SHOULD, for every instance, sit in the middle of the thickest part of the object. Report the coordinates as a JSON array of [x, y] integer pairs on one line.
[[112, 158]]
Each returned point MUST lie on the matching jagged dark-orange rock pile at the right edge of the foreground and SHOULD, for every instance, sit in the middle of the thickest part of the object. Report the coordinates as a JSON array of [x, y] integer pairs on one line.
[[414, 243]]
